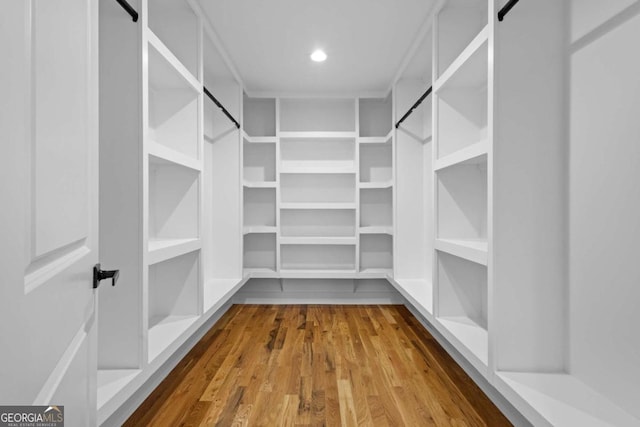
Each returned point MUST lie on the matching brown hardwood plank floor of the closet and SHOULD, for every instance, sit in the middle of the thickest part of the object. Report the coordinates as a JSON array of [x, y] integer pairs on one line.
[[317, 365]]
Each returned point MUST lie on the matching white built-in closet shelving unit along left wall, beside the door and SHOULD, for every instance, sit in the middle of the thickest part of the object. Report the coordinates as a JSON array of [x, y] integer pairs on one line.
[[163, 151]]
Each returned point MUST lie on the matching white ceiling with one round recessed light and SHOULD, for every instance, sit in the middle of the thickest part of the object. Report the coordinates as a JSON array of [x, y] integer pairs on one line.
[[269, 42]]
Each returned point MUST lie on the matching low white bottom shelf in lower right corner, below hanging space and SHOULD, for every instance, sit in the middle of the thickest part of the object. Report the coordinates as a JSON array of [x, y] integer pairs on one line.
[[562, 400]]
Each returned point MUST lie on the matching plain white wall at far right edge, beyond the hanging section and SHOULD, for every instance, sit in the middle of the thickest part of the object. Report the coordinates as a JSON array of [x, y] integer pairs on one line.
[[604, 198]]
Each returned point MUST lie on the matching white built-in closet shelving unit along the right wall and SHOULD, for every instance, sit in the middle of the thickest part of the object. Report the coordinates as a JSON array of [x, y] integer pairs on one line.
[[480, 250]]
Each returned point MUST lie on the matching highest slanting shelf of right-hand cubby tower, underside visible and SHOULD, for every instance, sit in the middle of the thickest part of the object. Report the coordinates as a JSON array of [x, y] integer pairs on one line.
[[469, 67]]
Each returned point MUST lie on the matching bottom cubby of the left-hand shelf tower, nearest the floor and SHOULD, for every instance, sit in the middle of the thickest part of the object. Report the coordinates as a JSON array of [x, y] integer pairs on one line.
[[173, 300]]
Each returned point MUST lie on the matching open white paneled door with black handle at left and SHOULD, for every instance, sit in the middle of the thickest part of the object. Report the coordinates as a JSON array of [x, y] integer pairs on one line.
[[48, 205]]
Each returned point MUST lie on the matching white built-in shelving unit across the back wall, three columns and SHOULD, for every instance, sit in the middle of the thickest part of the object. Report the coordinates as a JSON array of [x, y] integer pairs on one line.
[[318, 187]]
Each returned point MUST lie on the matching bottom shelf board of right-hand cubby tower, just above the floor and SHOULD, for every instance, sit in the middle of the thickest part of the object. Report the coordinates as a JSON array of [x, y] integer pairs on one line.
[[473, 337]]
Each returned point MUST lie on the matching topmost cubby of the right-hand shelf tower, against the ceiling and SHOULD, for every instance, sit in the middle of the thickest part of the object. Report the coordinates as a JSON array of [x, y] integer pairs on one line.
[[459, 22]]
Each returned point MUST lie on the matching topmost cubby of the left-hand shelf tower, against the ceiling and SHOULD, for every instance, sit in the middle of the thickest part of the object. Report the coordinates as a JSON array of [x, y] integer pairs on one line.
[[176, 26]]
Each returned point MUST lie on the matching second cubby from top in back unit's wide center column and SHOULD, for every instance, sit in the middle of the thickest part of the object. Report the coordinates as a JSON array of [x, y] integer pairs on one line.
[[327, 155]]
